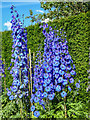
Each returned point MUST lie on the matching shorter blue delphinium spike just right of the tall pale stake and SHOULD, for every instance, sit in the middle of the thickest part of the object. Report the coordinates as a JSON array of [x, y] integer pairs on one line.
[[37, 91]]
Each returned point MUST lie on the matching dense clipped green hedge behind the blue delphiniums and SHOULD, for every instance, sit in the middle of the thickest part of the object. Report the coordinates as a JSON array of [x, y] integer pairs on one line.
[[77, 31]]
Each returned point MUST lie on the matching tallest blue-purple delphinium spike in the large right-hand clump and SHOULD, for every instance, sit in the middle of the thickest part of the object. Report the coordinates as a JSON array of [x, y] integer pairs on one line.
[[48, 61]]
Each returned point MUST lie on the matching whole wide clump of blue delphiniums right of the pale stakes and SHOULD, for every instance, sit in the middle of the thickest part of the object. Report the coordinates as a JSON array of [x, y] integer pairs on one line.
[[55, 71]]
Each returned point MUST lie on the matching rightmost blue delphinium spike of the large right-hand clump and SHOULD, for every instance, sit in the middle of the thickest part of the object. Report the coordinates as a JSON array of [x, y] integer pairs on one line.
[[68, 71]]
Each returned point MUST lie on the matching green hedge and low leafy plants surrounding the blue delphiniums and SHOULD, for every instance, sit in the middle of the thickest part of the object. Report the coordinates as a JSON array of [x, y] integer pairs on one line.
[[77, 30]]
